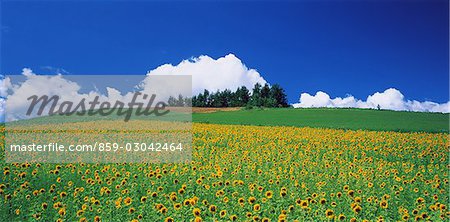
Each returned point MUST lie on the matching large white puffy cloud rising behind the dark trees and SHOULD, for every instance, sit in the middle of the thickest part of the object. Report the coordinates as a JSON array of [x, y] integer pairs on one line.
[[226, 72]]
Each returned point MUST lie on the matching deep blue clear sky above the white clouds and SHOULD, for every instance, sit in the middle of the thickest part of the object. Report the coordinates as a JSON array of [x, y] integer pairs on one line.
[[340, 47]]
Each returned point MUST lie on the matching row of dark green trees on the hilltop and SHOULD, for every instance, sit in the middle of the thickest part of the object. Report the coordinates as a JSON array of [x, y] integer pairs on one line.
[[261, 96]]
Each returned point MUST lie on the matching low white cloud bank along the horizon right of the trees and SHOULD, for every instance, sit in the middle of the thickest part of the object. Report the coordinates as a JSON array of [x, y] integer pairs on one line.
[[391, 99]]
